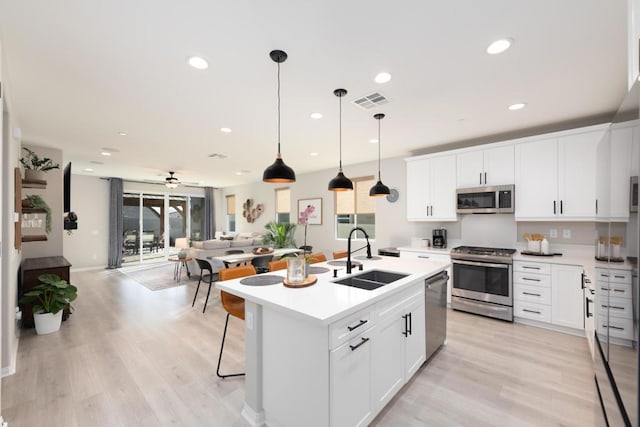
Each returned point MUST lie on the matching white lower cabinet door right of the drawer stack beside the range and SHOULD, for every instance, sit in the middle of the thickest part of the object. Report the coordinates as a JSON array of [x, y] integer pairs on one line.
[[567, 307]]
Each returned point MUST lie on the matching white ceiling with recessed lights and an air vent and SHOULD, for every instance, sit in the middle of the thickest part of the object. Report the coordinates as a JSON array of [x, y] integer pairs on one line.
[[77, 72]]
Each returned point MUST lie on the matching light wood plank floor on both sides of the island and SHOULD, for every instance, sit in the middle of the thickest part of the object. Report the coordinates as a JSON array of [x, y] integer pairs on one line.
[[129, 356]]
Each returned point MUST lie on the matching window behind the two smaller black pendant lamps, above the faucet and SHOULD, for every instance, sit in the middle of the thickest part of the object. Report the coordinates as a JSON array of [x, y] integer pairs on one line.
[[356, 208]]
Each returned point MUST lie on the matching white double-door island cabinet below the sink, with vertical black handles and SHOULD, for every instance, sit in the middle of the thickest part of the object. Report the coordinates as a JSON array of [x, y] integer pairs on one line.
[[398, 346]]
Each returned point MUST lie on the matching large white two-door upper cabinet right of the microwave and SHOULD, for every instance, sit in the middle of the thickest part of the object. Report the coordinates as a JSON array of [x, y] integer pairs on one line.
[[556, 178]]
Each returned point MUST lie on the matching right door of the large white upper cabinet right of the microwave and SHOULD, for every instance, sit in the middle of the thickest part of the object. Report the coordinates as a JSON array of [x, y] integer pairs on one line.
[[577, 175]]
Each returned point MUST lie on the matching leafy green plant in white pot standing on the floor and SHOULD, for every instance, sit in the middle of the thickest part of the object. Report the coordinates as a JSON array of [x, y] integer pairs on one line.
[[49, 299]]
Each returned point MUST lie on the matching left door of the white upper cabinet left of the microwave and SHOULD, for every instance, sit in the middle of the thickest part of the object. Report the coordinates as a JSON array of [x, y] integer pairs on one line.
[[418, 190]]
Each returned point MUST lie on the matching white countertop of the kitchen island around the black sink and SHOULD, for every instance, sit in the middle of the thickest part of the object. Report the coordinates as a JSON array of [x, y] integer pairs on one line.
[[326, 301]]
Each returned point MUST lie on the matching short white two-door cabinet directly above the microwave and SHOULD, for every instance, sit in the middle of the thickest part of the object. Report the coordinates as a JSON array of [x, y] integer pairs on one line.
[[492, 166]]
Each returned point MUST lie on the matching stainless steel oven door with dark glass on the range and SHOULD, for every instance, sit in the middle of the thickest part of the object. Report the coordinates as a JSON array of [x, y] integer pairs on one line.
[[483, 281]]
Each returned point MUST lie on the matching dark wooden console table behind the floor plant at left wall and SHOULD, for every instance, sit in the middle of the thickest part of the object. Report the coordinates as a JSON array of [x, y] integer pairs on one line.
[[32, 268]]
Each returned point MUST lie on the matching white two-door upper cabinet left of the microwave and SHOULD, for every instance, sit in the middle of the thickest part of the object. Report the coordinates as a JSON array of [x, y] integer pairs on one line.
[[431, 189]]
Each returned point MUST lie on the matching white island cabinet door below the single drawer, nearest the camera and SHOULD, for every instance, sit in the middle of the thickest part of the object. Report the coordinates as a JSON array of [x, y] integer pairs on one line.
[[350, 381]]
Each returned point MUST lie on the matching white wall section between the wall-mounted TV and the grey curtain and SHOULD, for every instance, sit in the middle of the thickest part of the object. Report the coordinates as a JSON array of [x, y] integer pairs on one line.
[[88, 246]]
